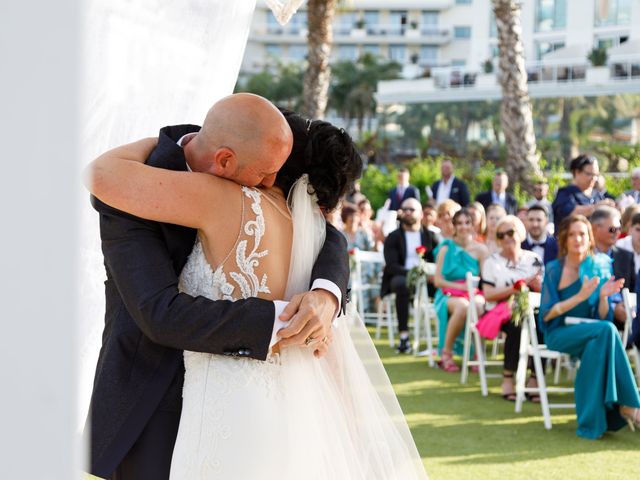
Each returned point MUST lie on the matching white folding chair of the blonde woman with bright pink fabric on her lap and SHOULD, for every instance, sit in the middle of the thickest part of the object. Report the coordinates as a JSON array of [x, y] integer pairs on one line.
[[471, 334]]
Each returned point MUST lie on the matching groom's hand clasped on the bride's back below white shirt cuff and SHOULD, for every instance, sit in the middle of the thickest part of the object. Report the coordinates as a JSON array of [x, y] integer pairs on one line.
[[311, 315]]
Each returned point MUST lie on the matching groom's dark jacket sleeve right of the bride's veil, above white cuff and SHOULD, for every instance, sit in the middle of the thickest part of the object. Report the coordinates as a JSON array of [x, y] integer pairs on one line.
[[333, 262]]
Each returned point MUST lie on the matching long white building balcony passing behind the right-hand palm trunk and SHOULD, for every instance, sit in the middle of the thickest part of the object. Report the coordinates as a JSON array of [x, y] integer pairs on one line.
[[450, 84]]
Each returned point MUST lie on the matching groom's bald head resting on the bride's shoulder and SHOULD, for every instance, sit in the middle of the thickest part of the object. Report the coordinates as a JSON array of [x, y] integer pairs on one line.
[[244, 138]]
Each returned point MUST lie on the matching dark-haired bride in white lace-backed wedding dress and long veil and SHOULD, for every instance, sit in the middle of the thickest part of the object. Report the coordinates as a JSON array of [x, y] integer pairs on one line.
[[294, 415]]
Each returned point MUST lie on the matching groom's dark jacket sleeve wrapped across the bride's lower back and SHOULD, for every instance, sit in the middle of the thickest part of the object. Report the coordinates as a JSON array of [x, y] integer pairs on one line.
[[137, 260]]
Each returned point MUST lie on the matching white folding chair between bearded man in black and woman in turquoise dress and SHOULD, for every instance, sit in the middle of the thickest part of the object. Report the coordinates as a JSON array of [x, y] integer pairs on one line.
[[423, 314]]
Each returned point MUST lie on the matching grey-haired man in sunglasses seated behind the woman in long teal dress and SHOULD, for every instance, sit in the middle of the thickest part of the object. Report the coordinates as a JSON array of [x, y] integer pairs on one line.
[[605, 222]]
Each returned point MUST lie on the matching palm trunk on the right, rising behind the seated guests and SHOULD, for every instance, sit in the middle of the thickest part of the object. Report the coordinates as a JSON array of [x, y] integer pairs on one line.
[[515, 109]]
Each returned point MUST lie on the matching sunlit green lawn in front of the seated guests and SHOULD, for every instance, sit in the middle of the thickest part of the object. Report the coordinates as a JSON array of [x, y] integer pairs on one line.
[[461, 434]]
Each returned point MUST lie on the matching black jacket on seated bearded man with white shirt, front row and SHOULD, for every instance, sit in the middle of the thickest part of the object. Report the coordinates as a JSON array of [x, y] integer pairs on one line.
[[395, 254]]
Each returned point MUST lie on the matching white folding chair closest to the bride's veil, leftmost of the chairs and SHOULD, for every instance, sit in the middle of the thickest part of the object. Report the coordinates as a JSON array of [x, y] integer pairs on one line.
[[385, 312]]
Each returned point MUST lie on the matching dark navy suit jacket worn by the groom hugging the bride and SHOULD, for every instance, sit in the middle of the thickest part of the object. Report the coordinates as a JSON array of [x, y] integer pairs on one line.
[[148, 323]]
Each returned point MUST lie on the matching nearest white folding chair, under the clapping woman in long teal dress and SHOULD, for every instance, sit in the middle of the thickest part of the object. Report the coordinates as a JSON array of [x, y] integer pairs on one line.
[[529, 347]]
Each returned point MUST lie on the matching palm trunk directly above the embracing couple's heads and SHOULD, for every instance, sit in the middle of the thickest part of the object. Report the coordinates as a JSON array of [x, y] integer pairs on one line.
[[318, 74]]
